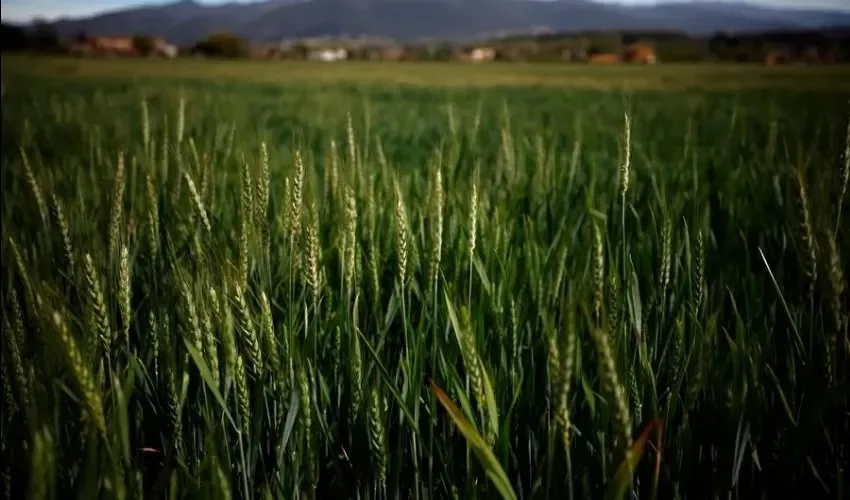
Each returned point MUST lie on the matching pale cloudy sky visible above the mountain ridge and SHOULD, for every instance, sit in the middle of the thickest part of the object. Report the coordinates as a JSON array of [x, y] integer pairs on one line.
[[26, 10]]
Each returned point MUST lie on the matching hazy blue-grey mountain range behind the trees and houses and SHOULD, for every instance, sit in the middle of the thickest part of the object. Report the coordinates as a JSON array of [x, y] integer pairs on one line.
[[187, 21]]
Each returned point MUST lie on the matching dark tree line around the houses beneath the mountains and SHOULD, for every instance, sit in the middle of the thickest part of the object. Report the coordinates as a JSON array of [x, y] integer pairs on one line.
[[812, 46]]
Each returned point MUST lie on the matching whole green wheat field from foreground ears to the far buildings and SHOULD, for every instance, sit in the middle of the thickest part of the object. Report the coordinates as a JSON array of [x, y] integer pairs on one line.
[[241, 279]]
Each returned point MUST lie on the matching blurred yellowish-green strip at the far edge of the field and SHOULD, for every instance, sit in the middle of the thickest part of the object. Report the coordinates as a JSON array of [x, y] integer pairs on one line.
[[695, 77]]
